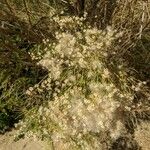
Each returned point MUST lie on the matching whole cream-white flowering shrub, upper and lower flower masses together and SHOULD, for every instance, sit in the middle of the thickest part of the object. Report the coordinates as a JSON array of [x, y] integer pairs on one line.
[[83, 101]]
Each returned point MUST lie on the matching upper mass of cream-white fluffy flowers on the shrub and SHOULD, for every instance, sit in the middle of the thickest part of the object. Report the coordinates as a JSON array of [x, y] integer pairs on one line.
[[84, 51]]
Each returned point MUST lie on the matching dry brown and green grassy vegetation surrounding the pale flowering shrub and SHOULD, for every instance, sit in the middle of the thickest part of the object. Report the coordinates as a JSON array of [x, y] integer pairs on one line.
[[28, 31]]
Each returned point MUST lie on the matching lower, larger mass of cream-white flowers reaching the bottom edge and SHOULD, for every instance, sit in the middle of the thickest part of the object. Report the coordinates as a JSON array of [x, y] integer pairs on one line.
[[71, 117]]
